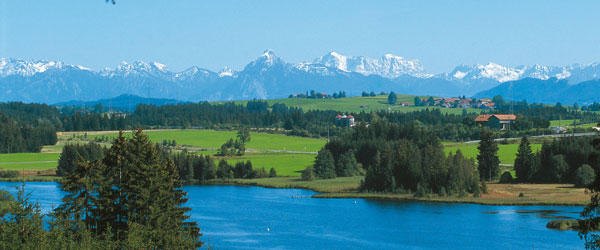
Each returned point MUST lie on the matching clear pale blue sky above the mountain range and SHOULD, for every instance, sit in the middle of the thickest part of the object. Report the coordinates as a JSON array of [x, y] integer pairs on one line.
[[214, 34]]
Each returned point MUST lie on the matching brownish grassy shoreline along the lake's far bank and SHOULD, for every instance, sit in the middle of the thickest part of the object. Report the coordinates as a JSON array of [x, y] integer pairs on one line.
[[347, 188]]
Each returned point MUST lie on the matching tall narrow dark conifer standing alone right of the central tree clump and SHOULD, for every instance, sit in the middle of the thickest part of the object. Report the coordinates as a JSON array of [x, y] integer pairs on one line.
[[488, 162]]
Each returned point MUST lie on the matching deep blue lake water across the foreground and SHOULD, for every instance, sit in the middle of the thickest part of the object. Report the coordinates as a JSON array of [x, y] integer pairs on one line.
[[240, 217]]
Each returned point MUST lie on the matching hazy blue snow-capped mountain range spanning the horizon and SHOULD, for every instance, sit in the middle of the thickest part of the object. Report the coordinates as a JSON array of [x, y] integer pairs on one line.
[[269, 76]]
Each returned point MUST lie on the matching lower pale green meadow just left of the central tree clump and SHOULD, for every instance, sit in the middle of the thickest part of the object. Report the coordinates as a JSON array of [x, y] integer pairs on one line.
[[284, 163]]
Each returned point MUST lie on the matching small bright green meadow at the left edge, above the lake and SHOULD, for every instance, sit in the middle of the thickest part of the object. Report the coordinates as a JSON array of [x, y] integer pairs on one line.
[[28, 161]]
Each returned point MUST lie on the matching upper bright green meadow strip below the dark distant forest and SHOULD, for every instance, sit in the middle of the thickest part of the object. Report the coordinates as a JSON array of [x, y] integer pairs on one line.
[[215, 138]]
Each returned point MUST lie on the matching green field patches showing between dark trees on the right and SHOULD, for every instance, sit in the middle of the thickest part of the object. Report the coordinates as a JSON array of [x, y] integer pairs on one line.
[[506, 152]]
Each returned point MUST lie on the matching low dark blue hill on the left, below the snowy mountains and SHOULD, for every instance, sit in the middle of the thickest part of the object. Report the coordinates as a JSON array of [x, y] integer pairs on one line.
[[122, 102]]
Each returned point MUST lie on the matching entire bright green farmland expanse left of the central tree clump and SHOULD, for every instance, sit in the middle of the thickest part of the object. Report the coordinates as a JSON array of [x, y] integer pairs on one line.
[[264, 149]]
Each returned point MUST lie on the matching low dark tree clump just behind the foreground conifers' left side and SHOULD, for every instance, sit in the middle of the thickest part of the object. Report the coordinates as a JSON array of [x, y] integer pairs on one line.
[[73, 153]]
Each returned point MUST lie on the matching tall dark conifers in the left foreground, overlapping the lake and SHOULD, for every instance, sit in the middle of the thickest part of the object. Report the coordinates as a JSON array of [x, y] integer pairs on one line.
[[131, 196]]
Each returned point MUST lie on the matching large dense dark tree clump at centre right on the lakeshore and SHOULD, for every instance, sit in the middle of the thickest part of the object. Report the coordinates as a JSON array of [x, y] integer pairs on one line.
[[397, 158]]
